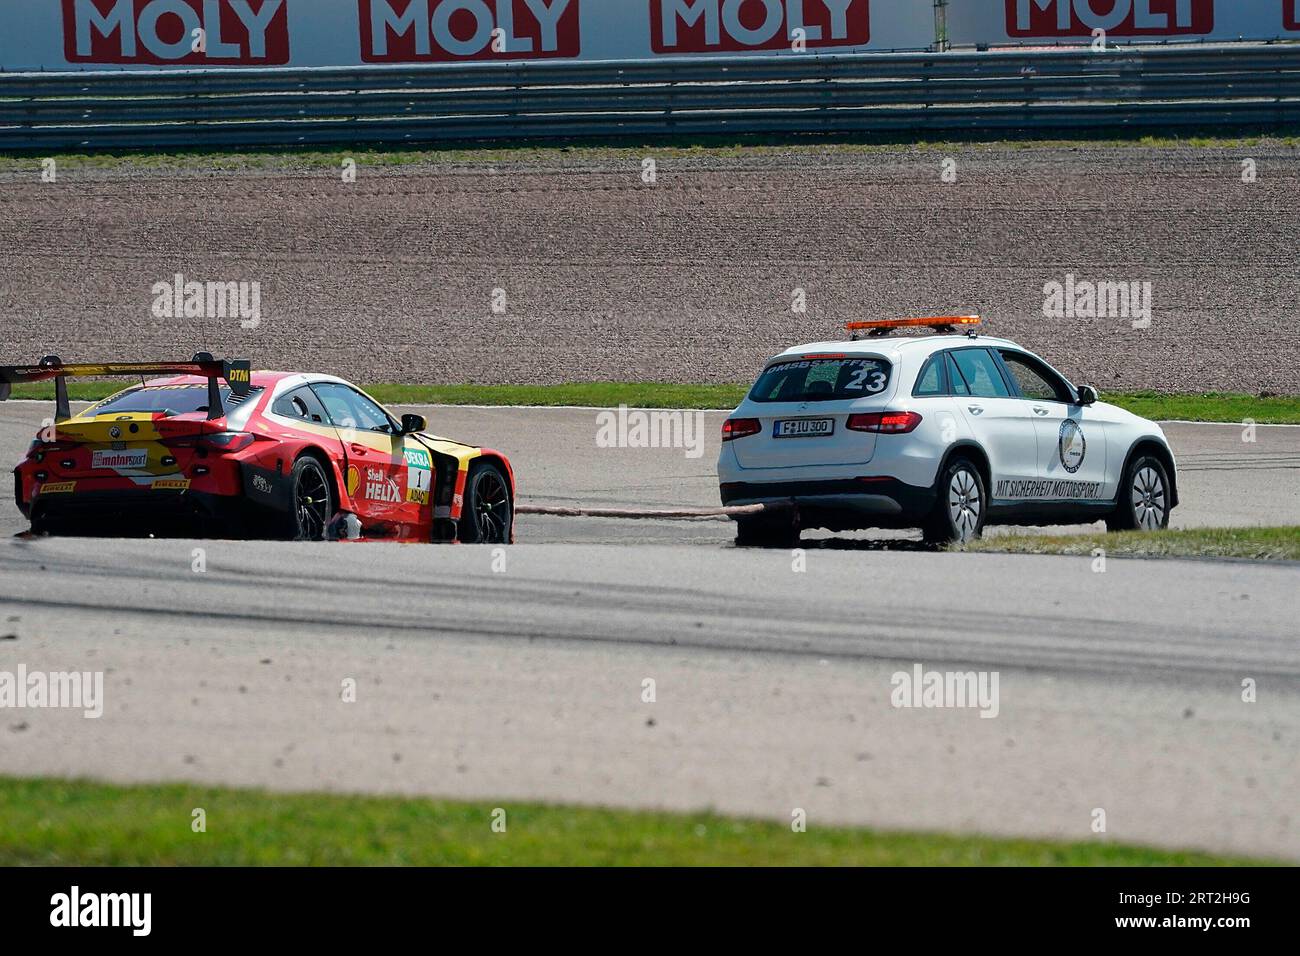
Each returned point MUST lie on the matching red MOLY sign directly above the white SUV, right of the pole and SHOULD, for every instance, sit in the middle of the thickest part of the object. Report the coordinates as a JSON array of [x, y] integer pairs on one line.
[[1117, 18]]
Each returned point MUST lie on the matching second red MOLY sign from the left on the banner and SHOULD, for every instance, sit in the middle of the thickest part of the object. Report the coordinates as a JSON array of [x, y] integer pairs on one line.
[[414, 31]]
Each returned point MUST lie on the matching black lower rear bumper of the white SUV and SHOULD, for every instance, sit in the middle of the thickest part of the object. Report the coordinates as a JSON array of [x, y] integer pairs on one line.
[[840, 505]]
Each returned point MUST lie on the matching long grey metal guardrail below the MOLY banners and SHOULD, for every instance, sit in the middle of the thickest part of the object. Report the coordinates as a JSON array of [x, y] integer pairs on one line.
[[1245, 86]]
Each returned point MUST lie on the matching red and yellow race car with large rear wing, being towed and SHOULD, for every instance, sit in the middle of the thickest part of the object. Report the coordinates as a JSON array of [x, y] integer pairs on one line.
[[222, 451]]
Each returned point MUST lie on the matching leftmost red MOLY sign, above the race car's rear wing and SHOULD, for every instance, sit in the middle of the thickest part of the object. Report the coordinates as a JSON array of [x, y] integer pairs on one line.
[[233, 33]]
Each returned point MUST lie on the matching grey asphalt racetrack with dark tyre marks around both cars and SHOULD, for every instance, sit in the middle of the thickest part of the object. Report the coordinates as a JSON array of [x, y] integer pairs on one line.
[[522, 674]]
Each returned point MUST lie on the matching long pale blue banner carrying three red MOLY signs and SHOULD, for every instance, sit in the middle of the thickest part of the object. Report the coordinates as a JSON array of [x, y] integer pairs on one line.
[[153, 34]]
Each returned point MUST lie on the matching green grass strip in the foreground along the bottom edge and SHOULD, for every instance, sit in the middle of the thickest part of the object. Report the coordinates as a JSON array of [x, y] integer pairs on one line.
[[81, 824]]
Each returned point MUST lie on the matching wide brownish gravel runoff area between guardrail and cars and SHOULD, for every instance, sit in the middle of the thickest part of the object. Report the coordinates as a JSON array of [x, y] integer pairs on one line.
[[688, 279]]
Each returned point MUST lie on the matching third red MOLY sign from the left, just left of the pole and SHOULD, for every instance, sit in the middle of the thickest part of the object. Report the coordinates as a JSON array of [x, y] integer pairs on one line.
[[708, 27]]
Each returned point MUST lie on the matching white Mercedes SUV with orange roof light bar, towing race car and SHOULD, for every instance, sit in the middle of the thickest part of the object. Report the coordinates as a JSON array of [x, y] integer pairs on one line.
[[946, 432]]
